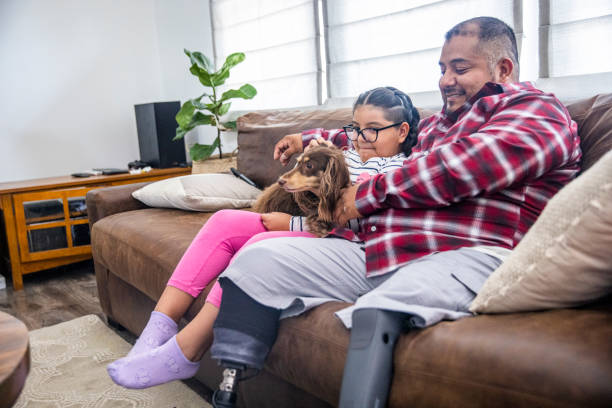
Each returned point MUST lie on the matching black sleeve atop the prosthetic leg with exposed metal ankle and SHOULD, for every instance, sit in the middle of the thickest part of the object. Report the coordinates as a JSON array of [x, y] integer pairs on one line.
[[240, 312]]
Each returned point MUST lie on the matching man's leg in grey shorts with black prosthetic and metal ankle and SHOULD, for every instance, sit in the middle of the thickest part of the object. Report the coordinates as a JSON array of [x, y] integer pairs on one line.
[[272, 278]]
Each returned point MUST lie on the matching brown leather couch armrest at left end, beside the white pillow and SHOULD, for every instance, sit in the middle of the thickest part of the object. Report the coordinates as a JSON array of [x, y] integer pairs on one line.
[[103, 202]]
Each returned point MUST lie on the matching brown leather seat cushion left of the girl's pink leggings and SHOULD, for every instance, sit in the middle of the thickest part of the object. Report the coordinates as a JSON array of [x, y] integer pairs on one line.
[[143, 247]]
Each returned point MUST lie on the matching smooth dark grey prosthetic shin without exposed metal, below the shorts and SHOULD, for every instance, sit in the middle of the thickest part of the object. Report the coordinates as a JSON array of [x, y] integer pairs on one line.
[[369, 364]]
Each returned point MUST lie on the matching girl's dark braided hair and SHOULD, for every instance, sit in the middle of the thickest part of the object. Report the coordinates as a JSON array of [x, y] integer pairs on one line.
[[397, 107]]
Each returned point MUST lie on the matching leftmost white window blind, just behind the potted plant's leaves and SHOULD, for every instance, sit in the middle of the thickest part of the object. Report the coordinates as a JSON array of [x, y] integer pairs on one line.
[[281, 43]]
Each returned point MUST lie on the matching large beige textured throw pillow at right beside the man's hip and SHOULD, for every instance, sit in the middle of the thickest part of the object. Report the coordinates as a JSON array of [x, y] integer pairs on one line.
[[566, 257]]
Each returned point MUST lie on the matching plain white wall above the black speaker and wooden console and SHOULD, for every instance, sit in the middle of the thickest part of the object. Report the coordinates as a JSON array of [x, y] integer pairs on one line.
[[71, 72]]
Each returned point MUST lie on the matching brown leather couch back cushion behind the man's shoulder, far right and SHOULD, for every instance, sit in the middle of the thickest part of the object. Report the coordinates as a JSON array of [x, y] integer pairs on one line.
[[594, 119]]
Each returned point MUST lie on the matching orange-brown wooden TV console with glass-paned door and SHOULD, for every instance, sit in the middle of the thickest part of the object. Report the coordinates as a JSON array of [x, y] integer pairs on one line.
[[45, 220]]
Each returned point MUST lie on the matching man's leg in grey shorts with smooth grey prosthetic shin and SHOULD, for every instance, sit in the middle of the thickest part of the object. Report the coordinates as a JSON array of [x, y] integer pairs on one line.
[[419, 294]]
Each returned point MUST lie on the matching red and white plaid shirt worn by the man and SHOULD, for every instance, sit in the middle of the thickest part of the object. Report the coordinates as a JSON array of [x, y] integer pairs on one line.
[[478, 176]]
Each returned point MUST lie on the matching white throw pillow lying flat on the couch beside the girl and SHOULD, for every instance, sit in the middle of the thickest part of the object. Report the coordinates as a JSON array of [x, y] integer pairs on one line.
[[198, 192]]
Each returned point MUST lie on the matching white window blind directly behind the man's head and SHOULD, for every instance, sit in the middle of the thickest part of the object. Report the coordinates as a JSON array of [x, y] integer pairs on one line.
[[397, 43]]
